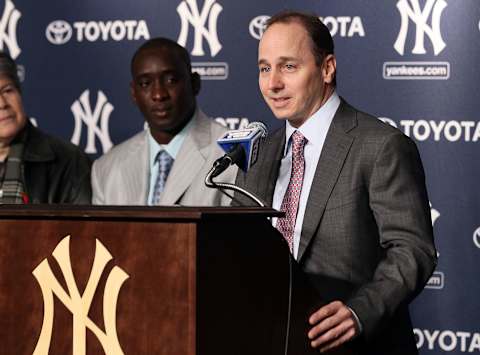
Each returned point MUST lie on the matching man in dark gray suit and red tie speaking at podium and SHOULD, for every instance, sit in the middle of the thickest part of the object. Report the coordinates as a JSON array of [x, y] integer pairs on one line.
[[353, 190]]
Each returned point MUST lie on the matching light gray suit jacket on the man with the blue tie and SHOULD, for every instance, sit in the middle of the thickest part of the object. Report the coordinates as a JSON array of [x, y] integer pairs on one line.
[[122, 176]]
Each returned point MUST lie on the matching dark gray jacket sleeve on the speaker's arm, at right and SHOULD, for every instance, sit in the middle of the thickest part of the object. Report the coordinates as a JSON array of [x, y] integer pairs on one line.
[[399, 201]]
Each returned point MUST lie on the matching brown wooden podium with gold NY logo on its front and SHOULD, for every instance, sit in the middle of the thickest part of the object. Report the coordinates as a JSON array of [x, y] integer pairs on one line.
[[149, 280]]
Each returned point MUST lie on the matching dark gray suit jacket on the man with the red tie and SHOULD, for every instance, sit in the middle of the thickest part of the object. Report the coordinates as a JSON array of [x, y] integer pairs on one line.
[[367, 235]]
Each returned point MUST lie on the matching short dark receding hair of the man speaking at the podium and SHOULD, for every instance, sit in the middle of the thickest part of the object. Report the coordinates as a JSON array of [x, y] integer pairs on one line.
[[321, 39]]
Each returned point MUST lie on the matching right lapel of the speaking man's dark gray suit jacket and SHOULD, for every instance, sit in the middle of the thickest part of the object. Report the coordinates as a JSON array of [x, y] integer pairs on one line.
[[335, 150]]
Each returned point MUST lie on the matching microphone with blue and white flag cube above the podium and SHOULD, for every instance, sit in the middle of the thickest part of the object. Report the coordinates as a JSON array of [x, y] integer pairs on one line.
[[241, 147]]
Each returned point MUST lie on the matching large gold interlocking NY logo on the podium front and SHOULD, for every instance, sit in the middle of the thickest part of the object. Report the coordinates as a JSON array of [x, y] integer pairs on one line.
[[78, 304]]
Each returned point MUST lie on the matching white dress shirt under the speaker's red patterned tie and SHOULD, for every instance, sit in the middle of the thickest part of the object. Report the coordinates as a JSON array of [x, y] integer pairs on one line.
[[314, 129]]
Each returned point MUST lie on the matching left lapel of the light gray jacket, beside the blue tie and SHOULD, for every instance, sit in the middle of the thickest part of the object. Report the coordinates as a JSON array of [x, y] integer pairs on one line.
[[137, 173]]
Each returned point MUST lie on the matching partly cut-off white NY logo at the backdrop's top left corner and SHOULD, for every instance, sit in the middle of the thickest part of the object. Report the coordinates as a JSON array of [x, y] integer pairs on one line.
[[8, 29]]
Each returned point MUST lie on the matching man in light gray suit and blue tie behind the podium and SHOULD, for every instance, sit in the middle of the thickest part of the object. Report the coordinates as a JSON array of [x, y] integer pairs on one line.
[[180, 142]]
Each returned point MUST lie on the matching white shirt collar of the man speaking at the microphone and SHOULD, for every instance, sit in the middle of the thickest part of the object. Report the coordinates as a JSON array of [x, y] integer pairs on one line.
[[318, 122]]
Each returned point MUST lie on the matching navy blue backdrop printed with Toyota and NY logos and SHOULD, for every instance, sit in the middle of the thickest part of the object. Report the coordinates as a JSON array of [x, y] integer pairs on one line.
[[412, 63]]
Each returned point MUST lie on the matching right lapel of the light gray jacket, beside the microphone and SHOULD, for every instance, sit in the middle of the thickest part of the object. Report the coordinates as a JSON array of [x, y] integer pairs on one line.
[[189, 161]]
